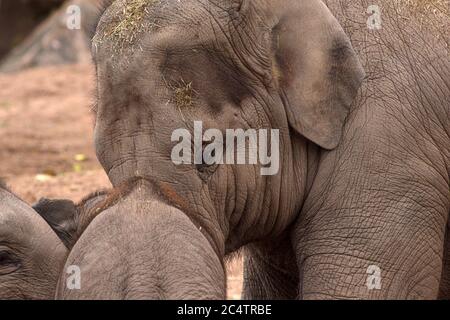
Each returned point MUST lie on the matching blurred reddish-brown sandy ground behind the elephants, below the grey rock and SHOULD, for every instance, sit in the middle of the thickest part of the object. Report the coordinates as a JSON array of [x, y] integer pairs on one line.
[[46, 134]]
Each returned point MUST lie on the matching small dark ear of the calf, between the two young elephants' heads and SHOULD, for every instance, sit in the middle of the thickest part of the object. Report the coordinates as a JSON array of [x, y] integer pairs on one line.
[[61, 215]]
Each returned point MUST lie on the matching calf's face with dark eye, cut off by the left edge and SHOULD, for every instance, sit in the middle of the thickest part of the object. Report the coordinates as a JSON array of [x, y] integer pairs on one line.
[[31, 254]]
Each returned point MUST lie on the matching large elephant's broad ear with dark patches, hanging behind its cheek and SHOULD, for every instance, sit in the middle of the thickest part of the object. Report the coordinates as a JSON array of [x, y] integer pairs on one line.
[[317, 69]]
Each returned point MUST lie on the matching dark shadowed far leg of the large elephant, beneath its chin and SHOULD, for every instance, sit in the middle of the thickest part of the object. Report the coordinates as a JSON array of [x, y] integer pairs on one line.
[[270, 271]]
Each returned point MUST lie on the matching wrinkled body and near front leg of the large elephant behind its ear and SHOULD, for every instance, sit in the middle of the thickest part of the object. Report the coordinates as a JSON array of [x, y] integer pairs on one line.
[[382, 197]]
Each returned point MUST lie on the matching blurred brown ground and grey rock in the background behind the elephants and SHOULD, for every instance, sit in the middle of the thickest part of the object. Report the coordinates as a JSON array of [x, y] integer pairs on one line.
[[47, 82]]
